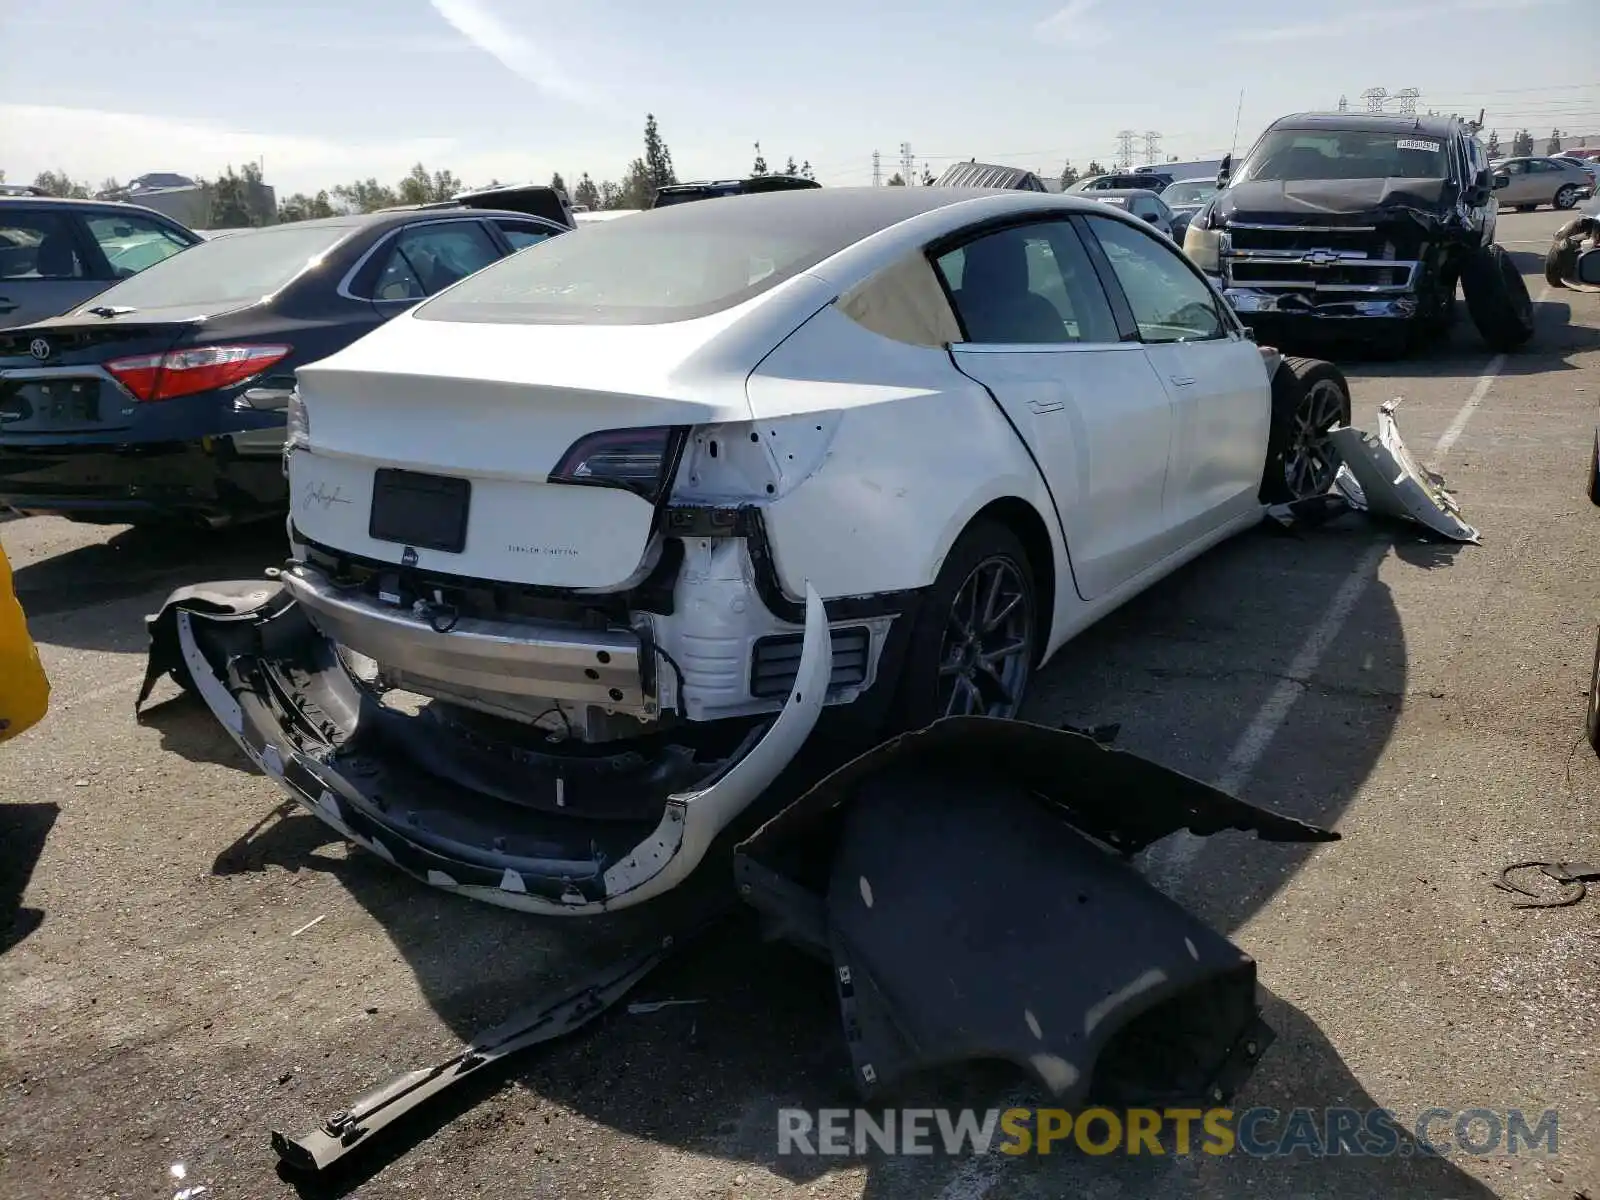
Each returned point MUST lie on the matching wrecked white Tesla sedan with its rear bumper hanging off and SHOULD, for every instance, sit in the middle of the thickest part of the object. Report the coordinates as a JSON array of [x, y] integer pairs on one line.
[[634, 508]]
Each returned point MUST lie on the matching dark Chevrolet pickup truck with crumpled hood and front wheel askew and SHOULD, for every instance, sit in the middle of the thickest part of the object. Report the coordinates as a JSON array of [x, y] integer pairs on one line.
[[1362, 226]]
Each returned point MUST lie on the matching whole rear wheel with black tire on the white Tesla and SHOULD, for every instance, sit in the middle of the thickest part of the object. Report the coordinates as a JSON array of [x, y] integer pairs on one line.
[[940, 658]]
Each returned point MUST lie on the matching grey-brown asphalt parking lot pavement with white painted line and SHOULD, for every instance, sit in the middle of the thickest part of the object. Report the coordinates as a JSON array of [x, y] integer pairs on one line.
[[193, 964]]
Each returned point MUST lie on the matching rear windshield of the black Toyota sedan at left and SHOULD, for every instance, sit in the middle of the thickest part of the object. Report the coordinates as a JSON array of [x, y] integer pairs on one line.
[[233, 270]]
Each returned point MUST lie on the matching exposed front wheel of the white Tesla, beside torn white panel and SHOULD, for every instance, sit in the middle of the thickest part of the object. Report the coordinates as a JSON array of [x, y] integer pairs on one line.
[[1310, 399]]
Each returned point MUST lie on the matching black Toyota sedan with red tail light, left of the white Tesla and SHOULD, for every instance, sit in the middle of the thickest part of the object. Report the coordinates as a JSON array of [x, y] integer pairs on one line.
[[164, 398]]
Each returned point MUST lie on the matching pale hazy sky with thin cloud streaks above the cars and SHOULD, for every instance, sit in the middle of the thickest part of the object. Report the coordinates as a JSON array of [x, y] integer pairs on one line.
[[330, 90]]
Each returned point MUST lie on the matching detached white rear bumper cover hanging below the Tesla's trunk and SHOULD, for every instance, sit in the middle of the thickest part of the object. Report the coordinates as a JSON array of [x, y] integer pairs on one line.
[[438, 807]]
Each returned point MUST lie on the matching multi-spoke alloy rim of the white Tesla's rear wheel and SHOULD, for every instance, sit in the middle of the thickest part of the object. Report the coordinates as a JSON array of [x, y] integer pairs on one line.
[[988, 646]]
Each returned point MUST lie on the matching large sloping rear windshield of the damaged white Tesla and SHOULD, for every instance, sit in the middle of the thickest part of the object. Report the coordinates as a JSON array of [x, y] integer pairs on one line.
[[668, 265]]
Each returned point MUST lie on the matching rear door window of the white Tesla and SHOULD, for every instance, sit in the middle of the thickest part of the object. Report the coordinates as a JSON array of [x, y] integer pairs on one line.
[[1028, 286]]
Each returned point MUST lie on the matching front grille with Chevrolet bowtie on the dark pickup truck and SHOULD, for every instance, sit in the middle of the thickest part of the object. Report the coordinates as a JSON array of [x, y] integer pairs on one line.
[[1316, 258]]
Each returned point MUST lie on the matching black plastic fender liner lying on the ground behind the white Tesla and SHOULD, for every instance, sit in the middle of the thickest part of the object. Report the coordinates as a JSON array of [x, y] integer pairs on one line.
[[970, 884]]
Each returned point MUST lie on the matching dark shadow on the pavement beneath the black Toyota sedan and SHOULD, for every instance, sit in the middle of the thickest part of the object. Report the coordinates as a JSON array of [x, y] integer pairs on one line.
[[134, 562]]
